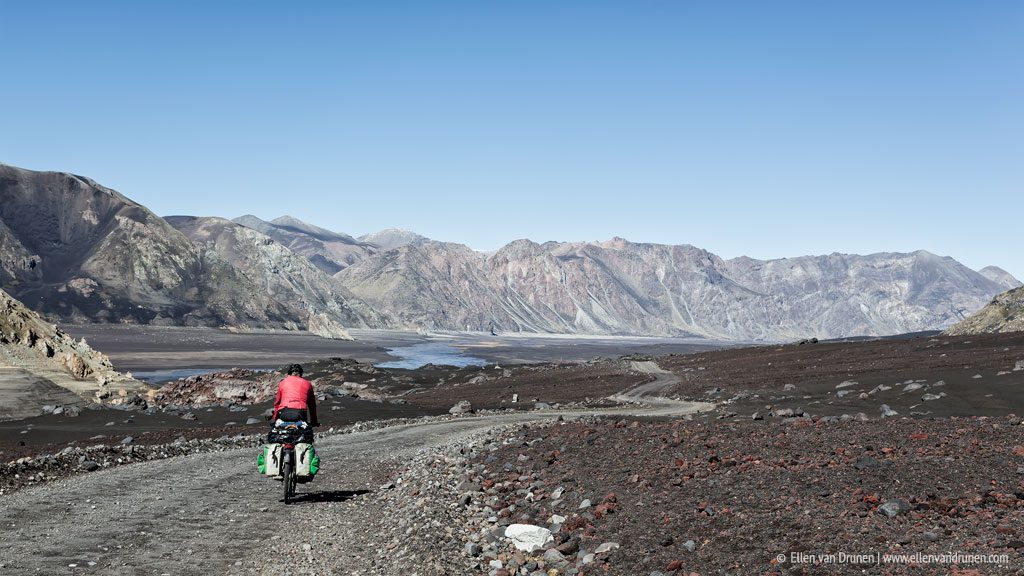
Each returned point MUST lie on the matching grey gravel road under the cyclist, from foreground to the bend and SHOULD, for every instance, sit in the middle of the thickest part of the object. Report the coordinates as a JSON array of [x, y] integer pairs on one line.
[[212, 514]]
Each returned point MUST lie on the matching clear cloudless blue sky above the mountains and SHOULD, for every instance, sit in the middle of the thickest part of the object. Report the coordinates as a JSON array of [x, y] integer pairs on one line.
[[765, 130]]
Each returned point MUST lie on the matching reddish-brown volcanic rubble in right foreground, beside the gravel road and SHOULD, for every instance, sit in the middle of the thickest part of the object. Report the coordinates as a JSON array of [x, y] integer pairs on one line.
[[717, 498]]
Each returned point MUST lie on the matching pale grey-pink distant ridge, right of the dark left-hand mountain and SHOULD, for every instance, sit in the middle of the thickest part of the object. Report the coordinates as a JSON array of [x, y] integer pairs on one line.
[[620, 287]]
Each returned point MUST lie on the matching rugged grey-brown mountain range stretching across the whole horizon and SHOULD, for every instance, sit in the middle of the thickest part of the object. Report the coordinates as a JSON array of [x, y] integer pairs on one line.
[[77, 252]]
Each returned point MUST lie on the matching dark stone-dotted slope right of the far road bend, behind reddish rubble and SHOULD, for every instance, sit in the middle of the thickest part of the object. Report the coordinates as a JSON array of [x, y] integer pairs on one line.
[[916, 377]]
